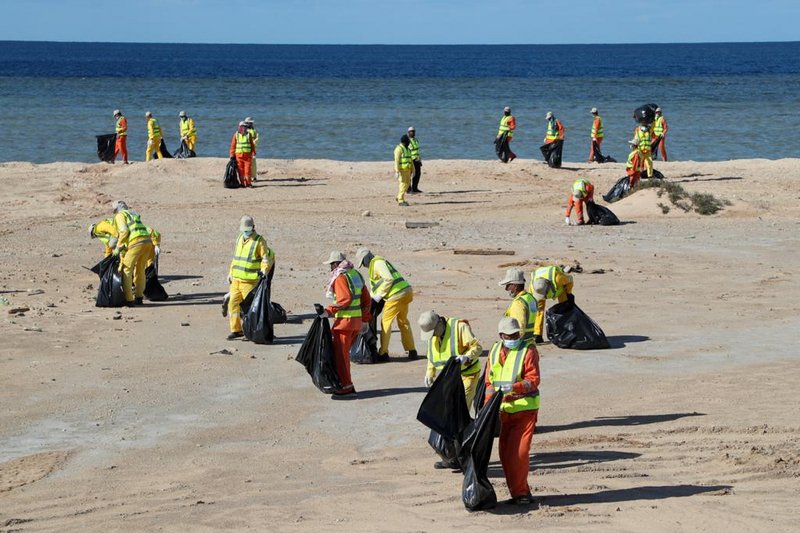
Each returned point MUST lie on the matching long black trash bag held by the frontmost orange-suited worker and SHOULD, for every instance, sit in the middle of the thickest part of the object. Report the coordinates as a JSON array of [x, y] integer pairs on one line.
[[476, 450]]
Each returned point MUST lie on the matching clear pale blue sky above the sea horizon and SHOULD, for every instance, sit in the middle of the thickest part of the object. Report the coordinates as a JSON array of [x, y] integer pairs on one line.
[[400, 22]]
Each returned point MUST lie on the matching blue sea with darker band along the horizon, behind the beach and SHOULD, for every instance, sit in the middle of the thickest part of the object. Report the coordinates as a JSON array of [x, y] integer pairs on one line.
[[721, 101]]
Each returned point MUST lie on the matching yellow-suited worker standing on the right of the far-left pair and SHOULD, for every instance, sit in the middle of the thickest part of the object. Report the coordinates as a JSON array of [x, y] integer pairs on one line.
[[134, 246]]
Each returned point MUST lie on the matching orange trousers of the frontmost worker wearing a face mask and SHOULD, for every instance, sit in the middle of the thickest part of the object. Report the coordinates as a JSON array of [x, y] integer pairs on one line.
[[516, 433]]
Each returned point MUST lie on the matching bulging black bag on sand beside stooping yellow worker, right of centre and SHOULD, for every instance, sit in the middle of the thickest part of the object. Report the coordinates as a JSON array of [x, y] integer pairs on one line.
[[569, 327]]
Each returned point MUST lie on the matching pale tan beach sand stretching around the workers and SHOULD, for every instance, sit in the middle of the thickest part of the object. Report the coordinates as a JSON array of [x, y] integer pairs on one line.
[[133, 420]]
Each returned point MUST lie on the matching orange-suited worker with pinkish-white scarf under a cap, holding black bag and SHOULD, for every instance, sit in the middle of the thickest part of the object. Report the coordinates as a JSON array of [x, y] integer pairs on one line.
[[351, 312]]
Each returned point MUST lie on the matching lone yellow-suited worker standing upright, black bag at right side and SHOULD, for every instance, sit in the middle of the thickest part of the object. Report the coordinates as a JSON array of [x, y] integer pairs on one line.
[[252, 260]]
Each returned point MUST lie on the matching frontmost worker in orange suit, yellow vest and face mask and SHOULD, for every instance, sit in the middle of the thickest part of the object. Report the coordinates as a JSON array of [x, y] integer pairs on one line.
[[513, 368]]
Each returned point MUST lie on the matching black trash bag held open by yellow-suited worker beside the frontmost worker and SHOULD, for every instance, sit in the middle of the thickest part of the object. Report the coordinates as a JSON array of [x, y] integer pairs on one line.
[[444, 409]]
